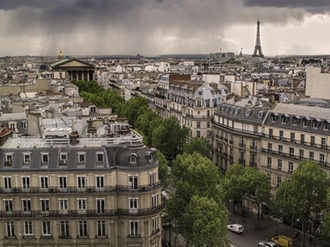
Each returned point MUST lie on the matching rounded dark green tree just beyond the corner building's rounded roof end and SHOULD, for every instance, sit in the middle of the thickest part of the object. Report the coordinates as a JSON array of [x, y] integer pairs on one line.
[[170, 137]]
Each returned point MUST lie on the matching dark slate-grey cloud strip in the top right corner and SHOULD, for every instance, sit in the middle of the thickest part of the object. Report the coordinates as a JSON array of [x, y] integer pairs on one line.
[[310, 5]]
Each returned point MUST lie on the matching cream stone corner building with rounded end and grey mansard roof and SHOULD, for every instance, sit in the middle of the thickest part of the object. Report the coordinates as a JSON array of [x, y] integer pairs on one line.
[[100, 192]]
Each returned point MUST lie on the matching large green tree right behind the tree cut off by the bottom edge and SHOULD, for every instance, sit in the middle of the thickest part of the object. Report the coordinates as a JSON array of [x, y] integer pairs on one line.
[[192, 175]]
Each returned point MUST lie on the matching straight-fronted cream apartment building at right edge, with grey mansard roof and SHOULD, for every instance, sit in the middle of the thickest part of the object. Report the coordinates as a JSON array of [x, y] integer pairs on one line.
[[292, 133]]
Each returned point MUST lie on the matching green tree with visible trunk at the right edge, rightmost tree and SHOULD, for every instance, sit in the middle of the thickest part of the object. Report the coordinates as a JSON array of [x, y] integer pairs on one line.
[[304, 196]]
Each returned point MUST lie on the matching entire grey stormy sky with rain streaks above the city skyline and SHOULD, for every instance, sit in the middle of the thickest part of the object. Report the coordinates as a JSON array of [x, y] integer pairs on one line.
[[155, 27]]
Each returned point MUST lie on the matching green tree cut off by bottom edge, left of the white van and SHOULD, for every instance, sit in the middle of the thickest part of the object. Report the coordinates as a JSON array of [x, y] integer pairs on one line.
[[205, 223]]
